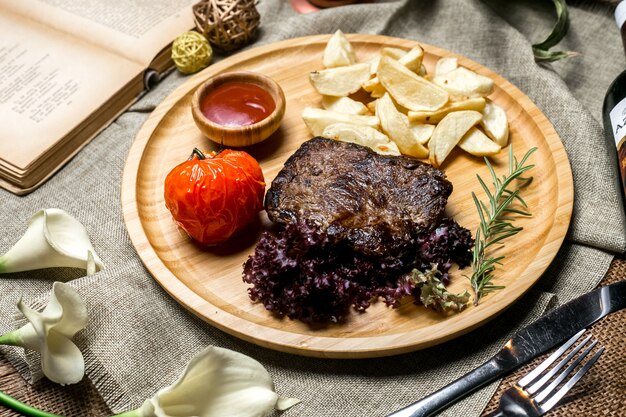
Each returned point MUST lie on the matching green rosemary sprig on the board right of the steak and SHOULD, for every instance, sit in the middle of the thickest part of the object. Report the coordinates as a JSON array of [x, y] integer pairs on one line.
[[496, 217]]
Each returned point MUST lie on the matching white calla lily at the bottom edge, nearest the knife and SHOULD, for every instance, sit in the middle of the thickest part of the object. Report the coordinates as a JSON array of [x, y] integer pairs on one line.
[[217, 383]]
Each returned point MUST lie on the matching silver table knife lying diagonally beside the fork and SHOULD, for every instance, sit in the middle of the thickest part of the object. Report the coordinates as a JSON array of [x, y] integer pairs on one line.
[[538, 337]]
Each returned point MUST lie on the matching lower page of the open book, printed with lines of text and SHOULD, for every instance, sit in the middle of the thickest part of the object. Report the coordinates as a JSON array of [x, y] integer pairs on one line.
[[49, 84]]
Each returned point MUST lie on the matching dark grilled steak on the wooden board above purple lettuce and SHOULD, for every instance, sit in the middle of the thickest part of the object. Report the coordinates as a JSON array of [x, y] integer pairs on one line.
[[377, 204]]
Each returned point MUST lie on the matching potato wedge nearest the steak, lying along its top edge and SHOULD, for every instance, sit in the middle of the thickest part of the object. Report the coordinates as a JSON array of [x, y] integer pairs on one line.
[[361, 135]]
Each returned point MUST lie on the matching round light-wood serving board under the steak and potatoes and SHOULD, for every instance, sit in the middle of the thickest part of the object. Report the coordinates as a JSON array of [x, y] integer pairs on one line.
[[208, 281]]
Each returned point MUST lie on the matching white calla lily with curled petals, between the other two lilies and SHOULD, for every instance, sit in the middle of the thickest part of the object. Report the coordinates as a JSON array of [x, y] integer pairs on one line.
[[50, 333]]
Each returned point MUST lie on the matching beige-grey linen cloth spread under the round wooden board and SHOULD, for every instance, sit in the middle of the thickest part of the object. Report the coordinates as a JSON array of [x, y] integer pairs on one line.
[[139, 340]]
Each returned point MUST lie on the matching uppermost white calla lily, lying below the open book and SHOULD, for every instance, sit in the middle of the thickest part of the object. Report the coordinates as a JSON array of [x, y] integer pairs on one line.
[[53, 239]]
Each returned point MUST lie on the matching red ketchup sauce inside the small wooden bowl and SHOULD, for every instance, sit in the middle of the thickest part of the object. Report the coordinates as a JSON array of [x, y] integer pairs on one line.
[[237, 104]]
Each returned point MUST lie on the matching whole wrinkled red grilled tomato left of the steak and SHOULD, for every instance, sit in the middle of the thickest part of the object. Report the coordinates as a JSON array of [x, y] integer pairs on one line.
[[214, 195]]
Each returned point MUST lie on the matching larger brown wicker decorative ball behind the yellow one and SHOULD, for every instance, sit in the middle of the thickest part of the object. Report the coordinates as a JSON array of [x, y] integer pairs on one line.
[[228, 24]]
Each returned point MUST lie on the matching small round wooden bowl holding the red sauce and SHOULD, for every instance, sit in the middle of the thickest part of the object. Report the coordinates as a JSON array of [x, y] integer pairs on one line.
[[238, 136]]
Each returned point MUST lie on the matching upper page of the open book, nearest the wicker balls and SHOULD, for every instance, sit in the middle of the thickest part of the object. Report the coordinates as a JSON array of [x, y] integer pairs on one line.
[[135, 29]]
